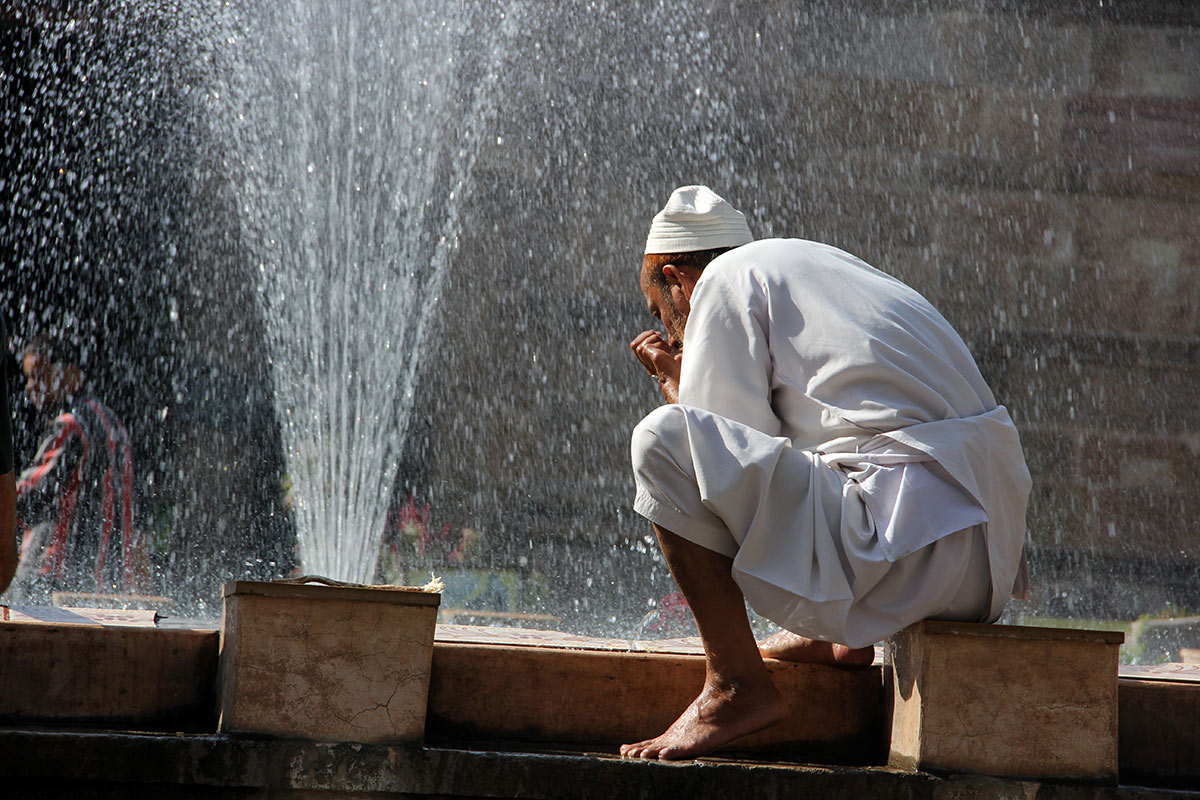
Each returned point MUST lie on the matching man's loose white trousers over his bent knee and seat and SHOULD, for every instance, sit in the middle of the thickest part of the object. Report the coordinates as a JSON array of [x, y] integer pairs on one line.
[[805, 549]]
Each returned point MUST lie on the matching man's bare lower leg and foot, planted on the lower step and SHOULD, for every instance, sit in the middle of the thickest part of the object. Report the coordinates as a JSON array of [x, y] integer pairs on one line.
[[739, 697]]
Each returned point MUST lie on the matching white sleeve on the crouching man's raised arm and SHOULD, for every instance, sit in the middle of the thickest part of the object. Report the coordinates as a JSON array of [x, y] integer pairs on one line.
[[727, 357]]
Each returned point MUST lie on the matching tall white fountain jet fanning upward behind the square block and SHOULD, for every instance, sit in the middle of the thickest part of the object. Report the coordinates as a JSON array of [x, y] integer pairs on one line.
[[358, 133]]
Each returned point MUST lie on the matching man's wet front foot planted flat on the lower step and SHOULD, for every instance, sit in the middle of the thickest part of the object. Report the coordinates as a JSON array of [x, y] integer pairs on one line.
[[717, 718]]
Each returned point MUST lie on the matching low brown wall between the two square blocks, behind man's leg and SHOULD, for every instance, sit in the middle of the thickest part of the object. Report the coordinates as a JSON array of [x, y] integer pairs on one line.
[[557, 695]]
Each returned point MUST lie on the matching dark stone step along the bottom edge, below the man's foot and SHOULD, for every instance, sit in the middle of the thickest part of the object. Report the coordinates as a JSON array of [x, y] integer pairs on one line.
[[41, 765]]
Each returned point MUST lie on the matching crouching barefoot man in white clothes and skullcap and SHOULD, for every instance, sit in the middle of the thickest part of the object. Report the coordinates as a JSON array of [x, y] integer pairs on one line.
[[830, 454]]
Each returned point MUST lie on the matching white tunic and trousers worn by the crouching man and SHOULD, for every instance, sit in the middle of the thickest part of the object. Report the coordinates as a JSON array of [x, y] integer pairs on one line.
[[836, 438]]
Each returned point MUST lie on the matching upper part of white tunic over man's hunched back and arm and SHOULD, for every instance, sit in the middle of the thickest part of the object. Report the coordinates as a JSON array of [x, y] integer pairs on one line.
[[803, 340]]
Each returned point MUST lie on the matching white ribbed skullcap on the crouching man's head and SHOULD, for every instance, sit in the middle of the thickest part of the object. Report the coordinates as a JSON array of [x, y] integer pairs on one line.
[[697, 219]]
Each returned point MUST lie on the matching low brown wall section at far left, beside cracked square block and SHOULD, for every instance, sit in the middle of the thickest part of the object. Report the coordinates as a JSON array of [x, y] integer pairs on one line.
[[145, 678]]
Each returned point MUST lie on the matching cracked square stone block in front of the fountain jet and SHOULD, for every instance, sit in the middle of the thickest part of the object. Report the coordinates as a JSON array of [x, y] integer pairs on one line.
[[331, 664]]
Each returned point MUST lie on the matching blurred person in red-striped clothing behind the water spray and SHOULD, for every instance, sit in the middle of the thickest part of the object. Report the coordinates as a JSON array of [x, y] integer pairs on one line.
[[75, 502]]
